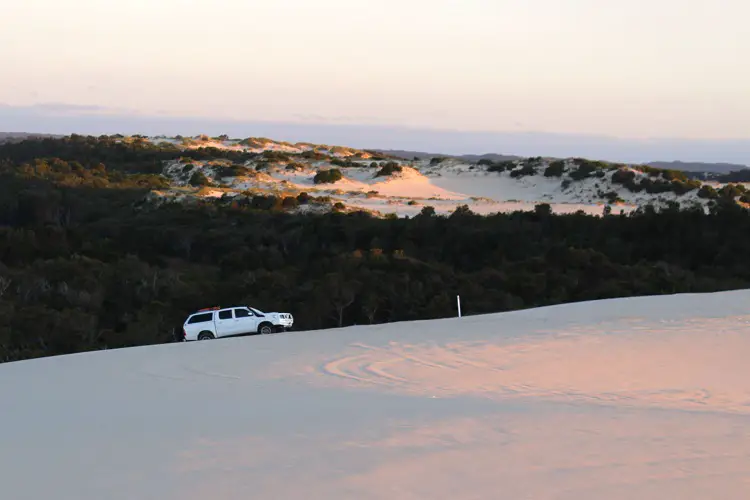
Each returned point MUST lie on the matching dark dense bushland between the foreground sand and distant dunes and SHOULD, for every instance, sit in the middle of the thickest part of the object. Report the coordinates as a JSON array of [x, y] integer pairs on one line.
[[86, 263]]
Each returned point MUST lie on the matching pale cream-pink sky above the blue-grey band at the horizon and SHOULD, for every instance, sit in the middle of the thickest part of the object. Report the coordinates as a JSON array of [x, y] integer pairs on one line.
[[632, 69]]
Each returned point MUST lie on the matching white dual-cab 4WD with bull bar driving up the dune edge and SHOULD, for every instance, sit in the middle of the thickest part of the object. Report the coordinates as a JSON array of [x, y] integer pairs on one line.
[[218, 322]]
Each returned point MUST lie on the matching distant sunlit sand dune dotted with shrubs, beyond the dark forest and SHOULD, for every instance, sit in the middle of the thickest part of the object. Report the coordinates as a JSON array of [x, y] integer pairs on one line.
[[443, 186]]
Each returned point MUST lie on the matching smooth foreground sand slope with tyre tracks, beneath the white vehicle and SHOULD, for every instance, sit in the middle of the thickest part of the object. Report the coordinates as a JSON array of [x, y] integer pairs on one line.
[[643, 398]]
